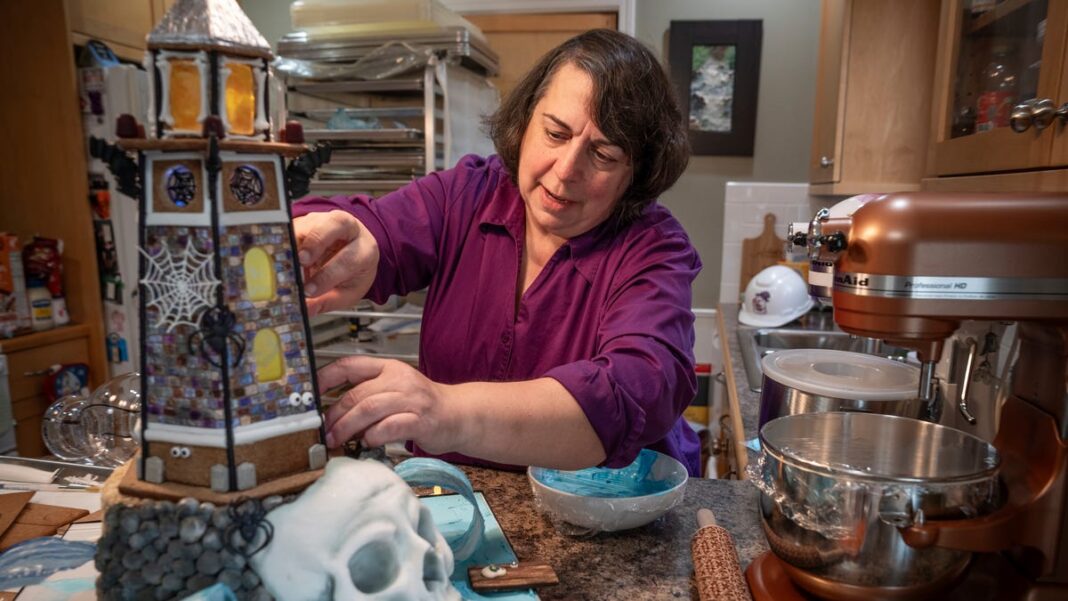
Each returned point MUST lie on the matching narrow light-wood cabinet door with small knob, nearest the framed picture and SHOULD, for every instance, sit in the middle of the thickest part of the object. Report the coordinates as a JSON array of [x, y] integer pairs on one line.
[[830, 92]]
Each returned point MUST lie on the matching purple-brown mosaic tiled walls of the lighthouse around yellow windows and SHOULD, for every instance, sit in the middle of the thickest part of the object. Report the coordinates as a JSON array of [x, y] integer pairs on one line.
[[183, 387]]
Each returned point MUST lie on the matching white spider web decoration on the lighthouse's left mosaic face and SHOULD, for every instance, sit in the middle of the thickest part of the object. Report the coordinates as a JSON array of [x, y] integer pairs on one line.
[[180, 286]]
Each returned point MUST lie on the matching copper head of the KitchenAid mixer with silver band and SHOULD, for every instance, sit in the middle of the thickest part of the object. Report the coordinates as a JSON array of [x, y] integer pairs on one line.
[[909, 267]]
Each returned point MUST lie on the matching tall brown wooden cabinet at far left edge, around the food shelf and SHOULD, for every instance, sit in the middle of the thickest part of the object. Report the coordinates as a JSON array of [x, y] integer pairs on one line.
[[46, 193]]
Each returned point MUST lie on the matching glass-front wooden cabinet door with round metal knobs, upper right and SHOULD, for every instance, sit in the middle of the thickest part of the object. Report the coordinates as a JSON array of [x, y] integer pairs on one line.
[[993, 57]]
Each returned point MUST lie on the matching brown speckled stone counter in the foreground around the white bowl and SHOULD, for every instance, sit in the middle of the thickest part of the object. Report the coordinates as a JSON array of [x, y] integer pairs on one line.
[[652, 562]]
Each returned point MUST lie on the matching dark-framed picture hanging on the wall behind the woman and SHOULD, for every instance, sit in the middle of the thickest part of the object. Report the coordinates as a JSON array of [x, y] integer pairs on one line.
[[716, 68]]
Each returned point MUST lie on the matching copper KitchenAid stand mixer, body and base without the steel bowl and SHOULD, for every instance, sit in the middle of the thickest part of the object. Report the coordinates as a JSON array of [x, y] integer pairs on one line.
[[909, 268]]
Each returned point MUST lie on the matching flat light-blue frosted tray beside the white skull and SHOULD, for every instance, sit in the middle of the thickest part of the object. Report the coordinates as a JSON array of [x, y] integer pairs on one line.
[[452, 514]]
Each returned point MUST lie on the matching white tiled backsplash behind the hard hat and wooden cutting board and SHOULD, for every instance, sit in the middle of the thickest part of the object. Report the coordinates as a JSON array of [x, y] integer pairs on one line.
[[746, 205]]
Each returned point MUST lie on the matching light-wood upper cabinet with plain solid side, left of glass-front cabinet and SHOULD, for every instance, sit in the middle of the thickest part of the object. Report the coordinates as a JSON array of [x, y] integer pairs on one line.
[[873, 96]]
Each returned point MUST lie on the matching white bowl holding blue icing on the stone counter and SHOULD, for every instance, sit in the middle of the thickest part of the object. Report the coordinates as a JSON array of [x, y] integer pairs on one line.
[[606, 500]]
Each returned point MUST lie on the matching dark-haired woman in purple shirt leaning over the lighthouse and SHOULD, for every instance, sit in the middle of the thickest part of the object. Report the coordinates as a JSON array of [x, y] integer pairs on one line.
[[558, 329]]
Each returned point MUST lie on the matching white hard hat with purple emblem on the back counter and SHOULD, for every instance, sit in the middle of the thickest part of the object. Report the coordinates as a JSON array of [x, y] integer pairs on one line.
[[775, 297]]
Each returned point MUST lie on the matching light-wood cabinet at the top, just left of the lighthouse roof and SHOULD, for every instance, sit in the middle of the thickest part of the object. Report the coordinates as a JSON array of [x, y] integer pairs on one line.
[[121, 24]]
